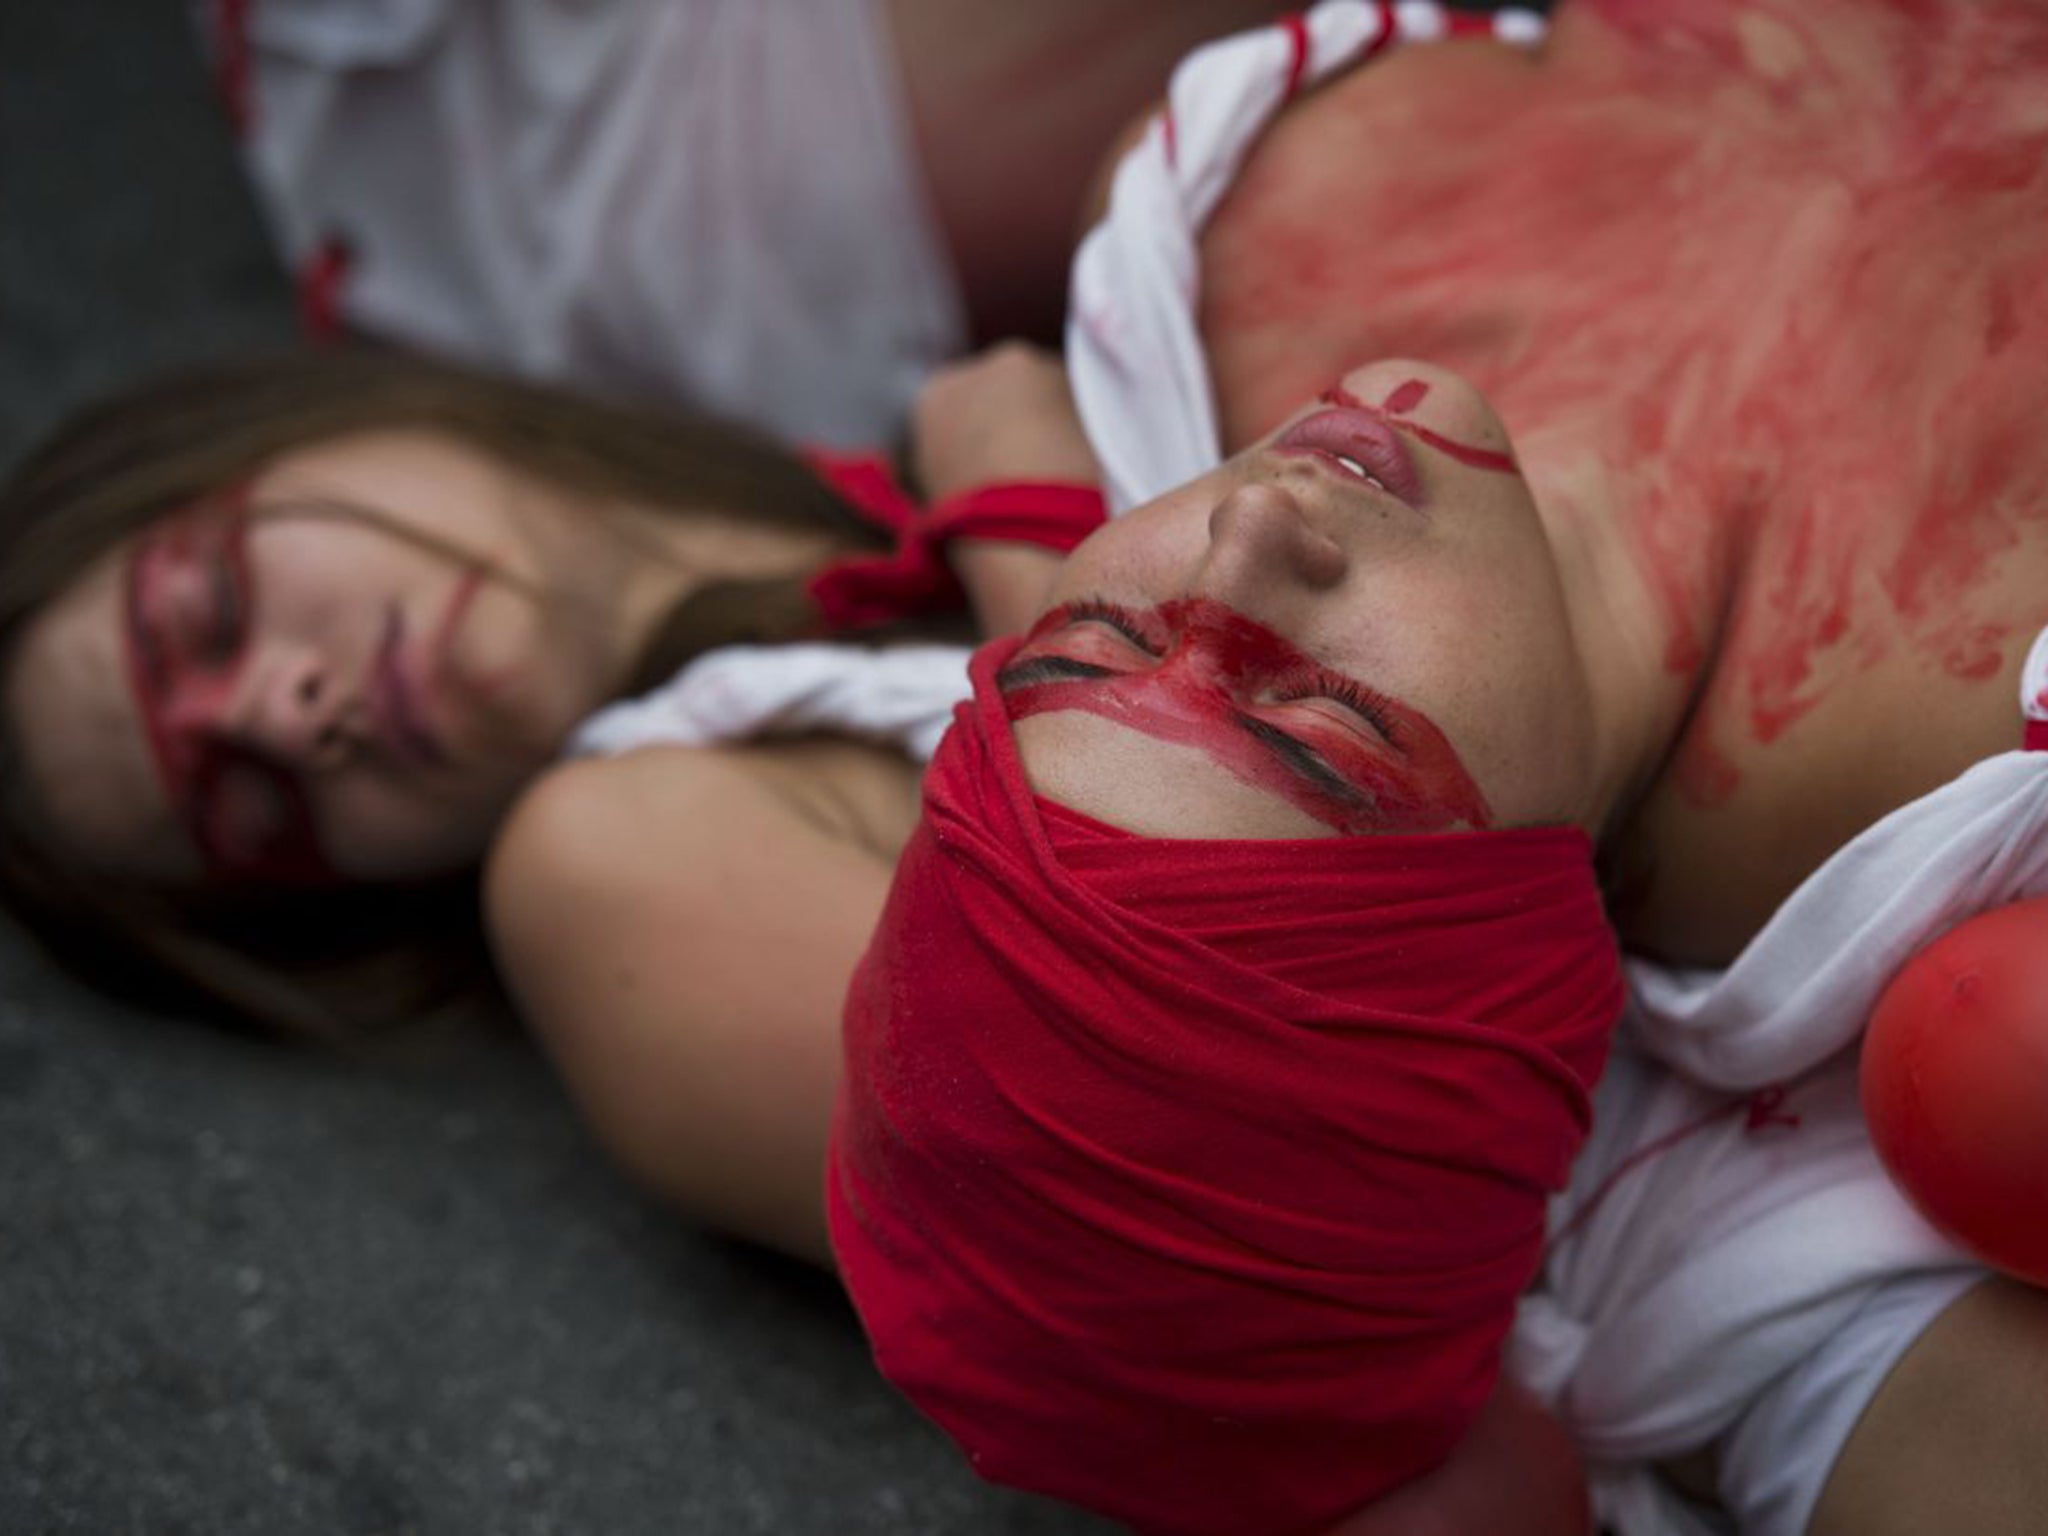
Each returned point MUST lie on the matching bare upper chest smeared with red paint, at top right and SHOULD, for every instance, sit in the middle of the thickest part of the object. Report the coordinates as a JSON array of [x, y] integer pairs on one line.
[[1768, 278]]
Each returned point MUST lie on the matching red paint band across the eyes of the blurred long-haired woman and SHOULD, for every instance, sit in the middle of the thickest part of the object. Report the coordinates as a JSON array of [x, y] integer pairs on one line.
[[187, 605]]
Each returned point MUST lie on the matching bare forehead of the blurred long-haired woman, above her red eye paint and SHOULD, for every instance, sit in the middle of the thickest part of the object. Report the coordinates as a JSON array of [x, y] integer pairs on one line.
[[79, 734]]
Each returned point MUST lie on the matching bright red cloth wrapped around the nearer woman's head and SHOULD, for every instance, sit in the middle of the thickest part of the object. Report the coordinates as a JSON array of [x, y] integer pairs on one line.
[[1195, 1183]]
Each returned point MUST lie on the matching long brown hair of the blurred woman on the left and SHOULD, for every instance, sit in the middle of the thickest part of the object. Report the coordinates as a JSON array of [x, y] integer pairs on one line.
[[355, 962]]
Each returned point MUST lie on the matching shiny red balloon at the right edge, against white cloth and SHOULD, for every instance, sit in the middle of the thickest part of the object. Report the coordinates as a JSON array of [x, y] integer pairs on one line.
[[1957, 1086]]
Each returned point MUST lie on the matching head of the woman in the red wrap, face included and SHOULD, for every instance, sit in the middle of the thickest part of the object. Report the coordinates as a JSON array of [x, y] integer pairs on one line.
[[1240, 994]]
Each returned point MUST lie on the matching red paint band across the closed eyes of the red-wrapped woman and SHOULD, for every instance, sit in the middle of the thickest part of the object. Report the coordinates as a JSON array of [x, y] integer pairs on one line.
[[1195, 673]]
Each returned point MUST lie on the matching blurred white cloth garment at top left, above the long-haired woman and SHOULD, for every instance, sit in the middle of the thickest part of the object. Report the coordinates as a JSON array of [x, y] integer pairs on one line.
[[712, 202]]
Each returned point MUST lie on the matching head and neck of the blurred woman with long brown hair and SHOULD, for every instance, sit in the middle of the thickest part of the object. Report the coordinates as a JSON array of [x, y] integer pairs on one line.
[[286, 638]]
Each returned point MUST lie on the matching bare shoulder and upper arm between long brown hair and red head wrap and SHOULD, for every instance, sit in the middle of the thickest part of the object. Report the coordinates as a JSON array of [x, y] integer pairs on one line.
[[679, 929]]
